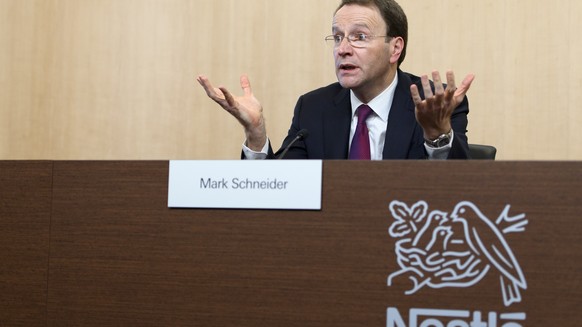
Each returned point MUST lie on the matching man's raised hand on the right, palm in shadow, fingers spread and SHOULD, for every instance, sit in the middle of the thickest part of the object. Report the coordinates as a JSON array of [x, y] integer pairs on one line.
[[434, 112]]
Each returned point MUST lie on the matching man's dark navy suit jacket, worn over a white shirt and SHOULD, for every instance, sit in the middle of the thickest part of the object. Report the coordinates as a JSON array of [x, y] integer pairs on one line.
[[326, 113]]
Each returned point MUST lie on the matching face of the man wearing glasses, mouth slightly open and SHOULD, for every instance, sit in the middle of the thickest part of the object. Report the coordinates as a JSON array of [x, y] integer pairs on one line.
[[369, 70]]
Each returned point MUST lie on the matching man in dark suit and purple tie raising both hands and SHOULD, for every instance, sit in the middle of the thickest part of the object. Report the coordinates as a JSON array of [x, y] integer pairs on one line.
[[408, 117]]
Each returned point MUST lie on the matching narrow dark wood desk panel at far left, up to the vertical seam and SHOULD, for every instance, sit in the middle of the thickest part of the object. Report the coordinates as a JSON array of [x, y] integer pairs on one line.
[[25, 209]]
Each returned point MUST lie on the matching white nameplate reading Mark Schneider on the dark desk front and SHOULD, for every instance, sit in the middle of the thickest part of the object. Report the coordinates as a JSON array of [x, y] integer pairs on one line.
[[245, 184]]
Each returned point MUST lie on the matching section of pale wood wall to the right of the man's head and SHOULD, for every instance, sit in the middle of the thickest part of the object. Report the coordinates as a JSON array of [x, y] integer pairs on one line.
[[528, 83]]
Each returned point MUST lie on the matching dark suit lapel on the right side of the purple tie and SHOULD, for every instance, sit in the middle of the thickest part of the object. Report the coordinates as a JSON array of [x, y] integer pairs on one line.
[[401, 121]]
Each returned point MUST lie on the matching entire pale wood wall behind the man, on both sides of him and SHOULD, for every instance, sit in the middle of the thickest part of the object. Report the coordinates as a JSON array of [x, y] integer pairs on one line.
[[105, 79]]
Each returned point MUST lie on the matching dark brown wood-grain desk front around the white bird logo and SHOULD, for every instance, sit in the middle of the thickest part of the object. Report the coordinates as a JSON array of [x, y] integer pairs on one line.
[[117, 256]]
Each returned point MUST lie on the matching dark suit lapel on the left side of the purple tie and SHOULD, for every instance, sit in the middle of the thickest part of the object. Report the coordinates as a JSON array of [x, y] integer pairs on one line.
[[336, 126]]
